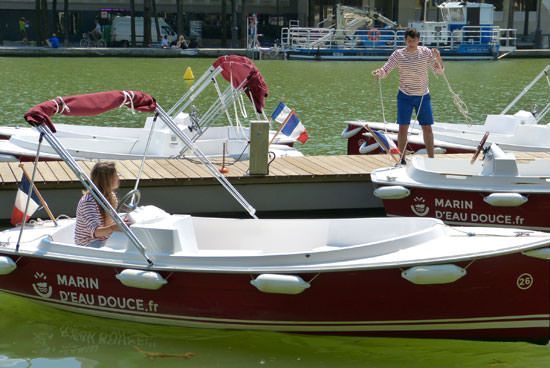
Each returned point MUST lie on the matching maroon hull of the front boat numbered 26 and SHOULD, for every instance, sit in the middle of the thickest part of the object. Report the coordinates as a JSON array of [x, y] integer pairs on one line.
[[500, 298]]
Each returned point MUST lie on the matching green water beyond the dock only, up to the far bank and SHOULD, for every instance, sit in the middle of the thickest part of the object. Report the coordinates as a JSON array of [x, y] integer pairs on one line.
[[324, 94]]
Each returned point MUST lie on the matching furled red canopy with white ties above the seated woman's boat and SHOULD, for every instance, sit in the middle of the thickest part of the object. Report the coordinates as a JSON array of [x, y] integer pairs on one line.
[[89, 105]]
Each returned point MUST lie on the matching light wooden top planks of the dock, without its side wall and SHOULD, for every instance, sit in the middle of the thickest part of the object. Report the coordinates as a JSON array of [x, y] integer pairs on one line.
[[168, 171]]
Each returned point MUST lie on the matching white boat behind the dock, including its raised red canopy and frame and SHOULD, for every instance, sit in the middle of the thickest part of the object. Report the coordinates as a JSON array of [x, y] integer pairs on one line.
[[231, 140]]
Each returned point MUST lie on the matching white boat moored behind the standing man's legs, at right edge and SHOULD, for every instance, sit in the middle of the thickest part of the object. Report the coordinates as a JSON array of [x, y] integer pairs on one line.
[[520, 131]]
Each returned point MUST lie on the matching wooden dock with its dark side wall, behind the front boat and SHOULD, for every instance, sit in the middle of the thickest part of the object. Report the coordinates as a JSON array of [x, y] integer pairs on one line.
[[294, 184]]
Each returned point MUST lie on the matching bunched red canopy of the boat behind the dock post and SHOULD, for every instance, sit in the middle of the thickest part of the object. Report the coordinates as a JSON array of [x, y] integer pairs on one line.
[[236, 69]]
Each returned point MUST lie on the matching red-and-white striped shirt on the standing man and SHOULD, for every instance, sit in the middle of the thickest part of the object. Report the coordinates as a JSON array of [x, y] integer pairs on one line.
[[413, 69]]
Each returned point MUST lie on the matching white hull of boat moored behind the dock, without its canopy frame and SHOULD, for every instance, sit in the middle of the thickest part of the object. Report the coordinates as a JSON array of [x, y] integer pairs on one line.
[[117, 143]]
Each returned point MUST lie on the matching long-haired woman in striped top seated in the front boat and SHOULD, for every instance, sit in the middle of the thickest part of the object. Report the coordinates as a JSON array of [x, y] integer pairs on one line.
[[93, 225]]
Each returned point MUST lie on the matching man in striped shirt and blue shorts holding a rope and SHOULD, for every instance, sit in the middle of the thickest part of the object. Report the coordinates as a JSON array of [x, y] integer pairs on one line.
[[413, 63]]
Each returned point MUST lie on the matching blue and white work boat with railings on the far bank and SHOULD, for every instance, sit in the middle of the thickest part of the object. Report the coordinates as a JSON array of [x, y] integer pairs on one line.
[[466, 32]]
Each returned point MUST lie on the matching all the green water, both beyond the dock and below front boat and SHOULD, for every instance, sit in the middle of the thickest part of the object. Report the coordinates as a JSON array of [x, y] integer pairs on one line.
[[324, 95]]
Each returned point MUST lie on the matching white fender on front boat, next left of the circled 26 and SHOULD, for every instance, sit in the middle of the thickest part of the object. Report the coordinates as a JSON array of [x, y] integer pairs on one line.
[[431, 275]]
